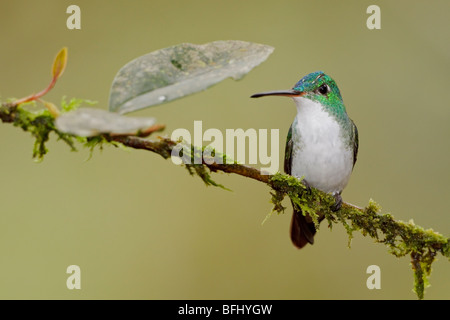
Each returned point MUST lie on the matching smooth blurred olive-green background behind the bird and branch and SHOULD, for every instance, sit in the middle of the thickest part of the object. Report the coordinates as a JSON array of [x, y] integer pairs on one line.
[[141, 228]]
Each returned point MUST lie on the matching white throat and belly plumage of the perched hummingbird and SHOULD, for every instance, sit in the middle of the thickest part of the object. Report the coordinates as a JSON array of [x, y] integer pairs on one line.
[[320, 154]]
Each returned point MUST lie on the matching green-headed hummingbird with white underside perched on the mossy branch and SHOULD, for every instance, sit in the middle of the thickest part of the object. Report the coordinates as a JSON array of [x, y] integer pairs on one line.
[[321, 145]]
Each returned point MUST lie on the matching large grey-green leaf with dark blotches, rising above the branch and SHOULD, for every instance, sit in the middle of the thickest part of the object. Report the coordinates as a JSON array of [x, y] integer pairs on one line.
[[177, 71]]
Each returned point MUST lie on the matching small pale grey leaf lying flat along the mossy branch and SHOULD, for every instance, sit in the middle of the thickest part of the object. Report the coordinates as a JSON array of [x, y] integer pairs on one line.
[[88, 122]]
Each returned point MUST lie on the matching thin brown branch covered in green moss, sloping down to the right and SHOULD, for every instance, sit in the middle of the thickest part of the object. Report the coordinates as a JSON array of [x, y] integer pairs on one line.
[[401, 238]]
